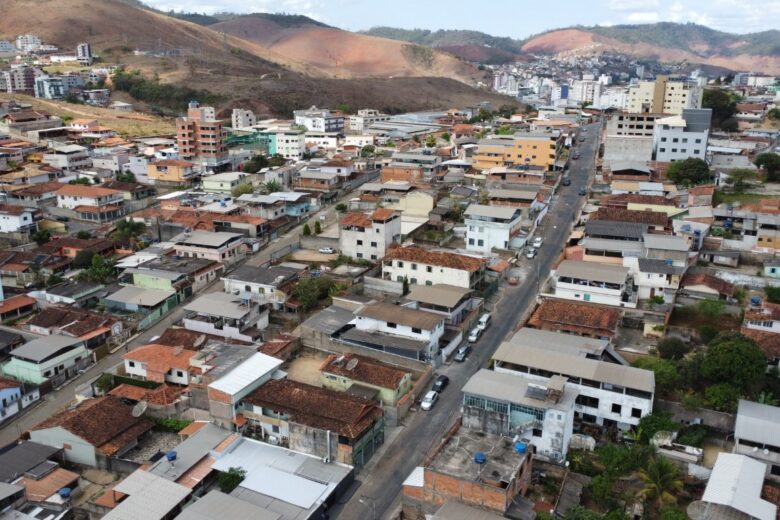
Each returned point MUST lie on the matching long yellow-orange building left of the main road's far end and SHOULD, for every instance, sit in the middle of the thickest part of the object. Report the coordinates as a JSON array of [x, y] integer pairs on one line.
[[538, 150]]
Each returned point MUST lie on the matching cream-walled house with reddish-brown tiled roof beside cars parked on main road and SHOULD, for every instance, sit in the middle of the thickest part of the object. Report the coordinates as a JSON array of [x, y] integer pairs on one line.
[[361, 375]]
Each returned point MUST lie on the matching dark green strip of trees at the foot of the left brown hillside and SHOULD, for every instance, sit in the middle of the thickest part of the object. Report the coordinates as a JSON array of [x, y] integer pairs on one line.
[[160, 95]]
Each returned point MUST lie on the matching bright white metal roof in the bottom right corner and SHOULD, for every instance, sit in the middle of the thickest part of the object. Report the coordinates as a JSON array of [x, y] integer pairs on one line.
[[736, 481]]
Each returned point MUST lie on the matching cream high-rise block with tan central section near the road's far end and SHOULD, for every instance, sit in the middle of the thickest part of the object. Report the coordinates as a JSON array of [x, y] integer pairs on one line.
[[663, 96]]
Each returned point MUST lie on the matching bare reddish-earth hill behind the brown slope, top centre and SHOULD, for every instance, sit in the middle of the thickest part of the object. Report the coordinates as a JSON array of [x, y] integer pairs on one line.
[[343, 54]]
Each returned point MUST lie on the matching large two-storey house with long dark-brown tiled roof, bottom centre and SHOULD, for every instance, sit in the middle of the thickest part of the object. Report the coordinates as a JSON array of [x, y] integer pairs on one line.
[[317, 421]]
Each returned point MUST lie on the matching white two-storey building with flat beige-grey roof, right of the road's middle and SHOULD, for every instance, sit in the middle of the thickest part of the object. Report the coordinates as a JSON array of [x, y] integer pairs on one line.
[[592, 282]]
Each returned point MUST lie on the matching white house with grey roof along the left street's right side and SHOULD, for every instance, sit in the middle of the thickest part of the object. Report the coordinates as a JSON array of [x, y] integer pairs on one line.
[[264, 285]]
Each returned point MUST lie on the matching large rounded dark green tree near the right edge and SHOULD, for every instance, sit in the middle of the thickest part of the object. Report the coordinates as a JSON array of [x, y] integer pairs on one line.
[[734, 358]]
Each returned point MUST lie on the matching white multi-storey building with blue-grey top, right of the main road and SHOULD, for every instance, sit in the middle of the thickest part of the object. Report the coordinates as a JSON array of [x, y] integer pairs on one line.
[[682, 136]]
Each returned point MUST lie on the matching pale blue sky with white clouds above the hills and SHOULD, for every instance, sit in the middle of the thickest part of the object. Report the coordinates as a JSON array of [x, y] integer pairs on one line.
[[516, 18]]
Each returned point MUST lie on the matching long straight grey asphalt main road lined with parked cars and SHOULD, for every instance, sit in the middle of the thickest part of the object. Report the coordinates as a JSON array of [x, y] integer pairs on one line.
[[381, 486]]
